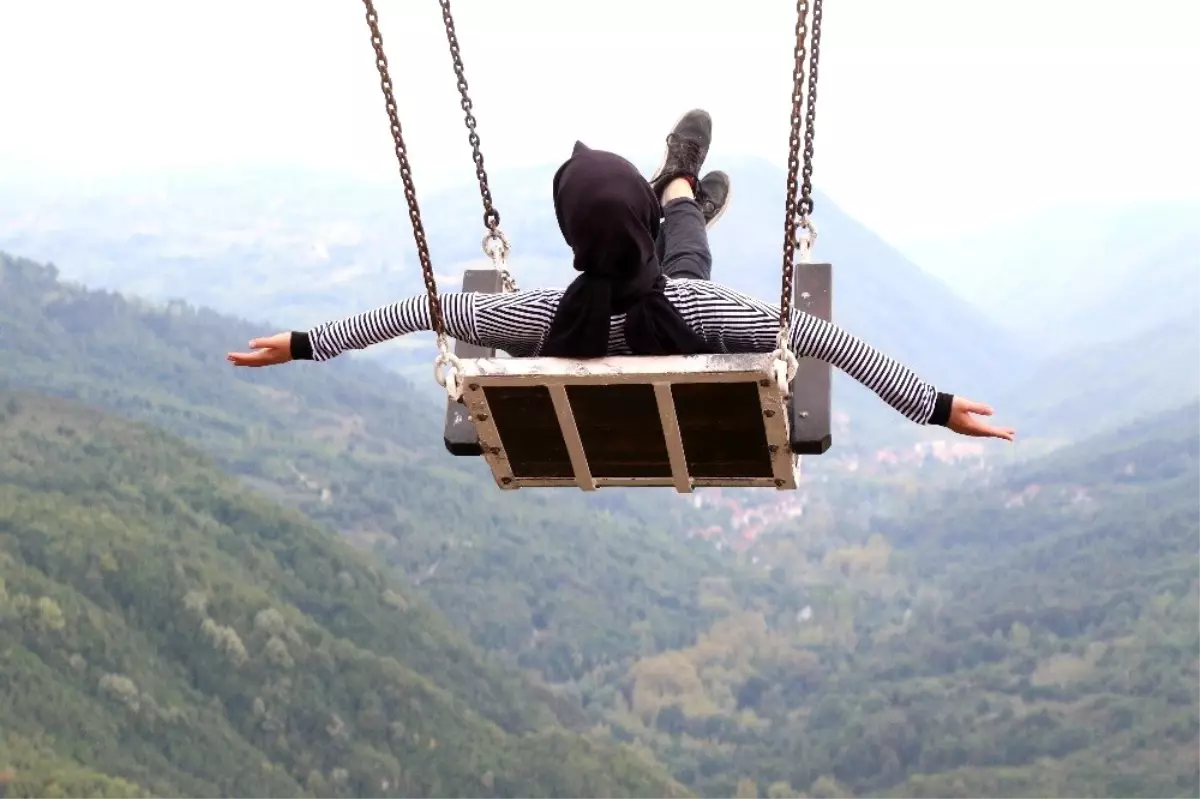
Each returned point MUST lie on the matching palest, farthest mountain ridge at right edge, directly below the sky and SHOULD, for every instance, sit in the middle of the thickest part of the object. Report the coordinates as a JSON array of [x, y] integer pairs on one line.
[[1078, 277]]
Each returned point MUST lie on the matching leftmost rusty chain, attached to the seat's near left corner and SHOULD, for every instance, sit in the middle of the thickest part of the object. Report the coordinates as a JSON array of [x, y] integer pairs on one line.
[[446, 358]]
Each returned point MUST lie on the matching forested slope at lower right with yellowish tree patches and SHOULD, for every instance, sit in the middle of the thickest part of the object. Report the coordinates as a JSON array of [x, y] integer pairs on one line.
[[1031, 635]]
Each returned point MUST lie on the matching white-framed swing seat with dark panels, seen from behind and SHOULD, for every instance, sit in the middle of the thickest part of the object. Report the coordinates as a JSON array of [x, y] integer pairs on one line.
[[682, 422]]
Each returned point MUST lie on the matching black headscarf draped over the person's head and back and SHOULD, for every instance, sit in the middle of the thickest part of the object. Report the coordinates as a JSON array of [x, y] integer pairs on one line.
[[610, 217]]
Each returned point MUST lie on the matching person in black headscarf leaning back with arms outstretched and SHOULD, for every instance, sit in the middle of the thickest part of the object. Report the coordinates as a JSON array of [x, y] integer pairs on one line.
[[645, 290]]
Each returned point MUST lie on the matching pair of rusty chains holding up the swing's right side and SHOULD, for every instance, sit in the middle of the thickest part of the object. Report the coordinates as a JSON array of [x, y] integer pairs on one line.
[[800, 232]]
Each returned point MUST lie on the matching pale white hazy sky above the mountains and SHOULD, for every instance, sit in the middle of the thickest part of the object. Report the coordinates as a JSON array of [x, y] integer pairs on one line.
[[935, 116]]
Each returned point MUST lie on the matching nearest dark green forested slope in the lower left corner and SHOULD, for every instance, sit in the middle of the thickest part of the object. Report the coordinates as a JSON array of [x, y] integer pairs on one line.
[[164, 627]]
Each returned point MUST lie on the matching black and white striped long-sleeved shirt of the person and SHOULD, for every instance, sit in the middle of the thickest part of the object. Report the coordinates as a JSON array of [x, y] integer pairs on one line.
[[730, 322]]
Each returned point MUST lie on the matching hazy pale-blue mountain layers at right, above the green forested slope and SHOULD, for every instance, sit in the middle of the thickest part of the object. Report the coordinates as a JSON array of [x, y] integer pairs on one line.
[[1102, 298]]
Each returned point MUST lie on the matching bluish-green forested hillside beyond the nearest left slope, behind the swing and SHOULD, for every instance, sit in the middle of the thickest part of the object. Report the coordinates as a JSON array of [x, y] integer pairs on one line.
[[351, 447]]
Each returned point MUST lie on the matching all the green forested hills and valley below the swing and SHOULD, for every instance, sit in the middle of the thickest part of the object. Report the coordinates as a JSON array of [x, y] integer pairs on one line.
[[275, 585]]
